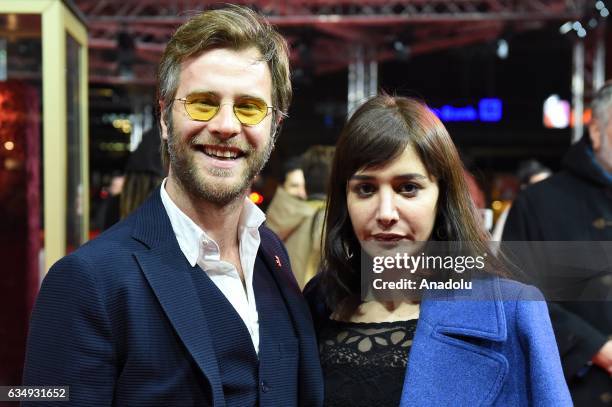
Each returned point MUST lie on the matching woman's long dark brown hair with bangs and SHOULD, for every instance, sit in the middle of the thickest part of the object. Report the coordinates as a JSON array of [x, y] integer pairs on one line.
[[378, 132]]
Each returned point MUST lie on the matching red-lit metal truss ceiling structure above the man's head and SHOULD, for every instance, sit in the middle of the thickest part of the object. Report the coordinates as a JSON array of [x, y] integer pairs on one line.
[[132, 33]]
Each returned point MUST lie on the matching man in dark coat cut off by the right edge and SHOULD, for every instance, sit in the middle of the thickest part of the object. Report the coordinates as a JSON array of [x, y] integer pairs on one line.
[[576, 205]]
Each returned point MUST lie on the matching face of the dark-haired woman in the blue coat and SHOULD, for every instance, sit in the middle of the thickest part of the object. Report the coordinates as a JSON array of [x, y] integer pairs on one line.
[[393, 204]]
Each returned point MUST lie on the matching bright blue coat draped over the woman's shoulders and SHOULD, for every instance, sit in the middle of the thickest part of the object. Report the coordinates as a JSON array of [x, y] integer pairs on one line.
[[493, 348]]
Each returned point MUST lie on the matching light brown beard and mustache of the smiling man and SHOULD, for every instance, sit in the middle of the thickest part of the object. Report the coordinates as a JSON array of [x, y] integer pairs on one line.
[[192, 177]]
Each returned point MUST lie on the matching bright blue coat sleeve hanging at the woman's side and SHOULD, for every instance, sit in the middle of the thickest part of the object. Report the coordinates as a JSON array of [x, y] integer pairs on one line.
[[545, 376]]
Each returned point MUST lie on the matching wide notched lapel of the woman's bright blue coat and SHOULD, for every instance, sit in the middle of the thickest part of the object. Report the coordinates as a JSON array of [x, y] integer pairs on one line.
[[452, 361]]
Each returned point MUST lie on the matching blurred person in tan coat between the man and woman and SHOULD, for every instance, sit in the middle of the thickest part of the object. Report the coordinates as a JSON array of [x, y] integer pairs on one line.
[[300, 223]]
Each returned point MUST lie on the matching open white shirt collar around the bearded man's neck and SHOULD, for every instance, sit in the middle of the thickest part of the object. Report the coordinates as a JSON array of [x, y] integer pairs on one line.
[[190, 236]]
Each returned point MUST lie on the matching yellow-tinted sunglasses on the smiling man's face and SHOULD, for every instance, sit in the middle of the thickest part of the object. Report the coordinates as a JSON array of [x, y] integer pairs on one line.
[[248, 111]]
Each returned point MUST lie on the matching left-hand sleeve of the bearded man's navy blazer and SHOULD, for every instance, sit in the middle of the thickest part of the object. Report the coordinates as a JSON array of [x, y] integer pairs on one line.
[[70, 341]]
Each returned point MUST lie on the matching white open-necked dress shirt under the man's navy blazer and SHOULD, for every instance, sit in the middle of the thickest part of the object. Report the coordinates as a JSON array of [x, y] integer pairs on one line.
[[200, 249]]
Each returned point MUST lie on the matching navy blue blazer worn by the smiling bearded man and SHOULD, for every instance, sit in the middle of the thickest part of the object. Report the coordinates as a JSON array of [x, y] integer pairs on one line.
[[120, 322]]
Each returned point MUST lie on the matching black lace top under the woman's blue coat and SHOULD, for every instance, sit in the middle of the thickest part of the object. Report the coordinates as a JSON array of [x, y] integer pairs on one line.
[[364, 363]]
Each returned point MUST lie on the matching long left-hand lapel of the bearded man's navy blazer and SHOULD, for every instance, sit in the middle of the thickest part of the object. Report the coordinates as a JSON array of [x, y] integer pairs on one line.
[[167, 272]]
